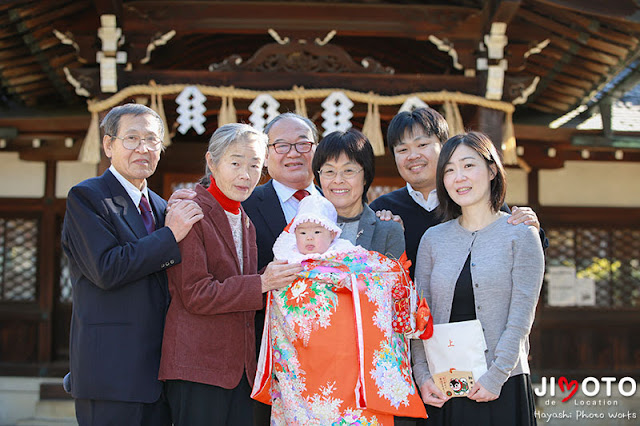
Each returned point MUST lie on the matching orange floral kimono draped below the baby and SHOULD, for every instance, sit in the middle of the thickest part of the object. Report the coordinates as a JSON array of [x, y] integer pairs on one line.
[[334, 350]]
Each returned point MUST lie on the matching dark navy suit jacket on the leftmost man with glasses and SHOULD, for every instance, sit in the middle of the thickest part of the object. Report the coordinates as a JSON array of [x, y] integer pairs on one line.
[[120, 294]]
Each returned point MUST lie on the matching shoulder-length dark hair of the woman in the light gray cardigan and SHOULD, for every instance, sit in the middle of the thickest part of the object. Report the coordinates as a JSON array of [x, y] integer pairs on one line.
[[481, 144]]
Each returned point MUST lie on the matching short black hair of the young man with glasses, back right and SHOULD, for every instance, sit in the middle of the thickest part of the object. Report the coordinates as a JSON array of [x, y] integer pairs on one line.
[[427, 119]]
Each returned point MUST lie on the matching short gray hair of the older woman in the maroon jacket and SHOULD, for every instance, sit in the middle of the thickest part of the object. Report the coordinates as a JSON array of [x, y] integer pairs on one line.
[[229, 135]]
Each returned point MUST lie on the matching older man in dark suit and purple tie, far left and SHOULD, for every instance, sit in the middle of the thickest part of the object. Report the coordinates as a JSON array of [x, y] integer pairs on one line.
[[119, 244]]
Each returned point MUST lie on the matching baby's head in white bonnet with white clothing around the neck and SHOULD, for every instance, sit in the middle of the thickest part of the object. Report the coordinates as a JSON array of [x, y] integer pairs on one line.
[[313, 233]]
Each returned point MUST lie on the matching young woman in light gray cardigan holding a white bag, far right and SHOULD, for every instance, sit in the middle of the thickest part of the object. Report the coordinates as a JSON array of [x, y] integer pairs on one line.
[[476, 265]]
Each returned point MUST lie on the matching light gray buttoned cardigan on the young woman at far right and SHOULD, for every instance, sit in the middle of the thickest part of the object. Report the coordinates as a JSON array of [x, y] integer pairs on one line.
[[507, 267]]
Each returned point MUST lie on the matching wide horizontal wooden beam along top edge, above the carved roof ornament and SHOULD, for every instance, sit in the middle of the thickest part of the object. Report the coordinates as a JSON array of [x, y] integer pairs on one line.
[[410, 21]]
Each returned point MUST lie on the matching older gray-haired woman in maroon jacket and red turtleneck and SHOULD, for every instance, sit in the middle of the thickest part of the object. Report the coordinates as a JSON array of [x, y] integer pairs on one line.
[[208, 352]]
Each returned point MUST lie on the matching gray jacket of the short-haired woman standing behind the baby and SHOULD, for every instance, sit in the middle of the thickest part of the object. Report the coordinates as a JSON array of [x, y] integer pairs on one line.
[[385, 237]]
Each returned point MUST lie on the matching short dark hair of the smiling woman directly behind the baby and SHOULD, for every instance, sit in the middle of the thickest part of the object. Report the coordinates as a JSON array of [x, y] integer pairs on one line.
[[354, 145]]
